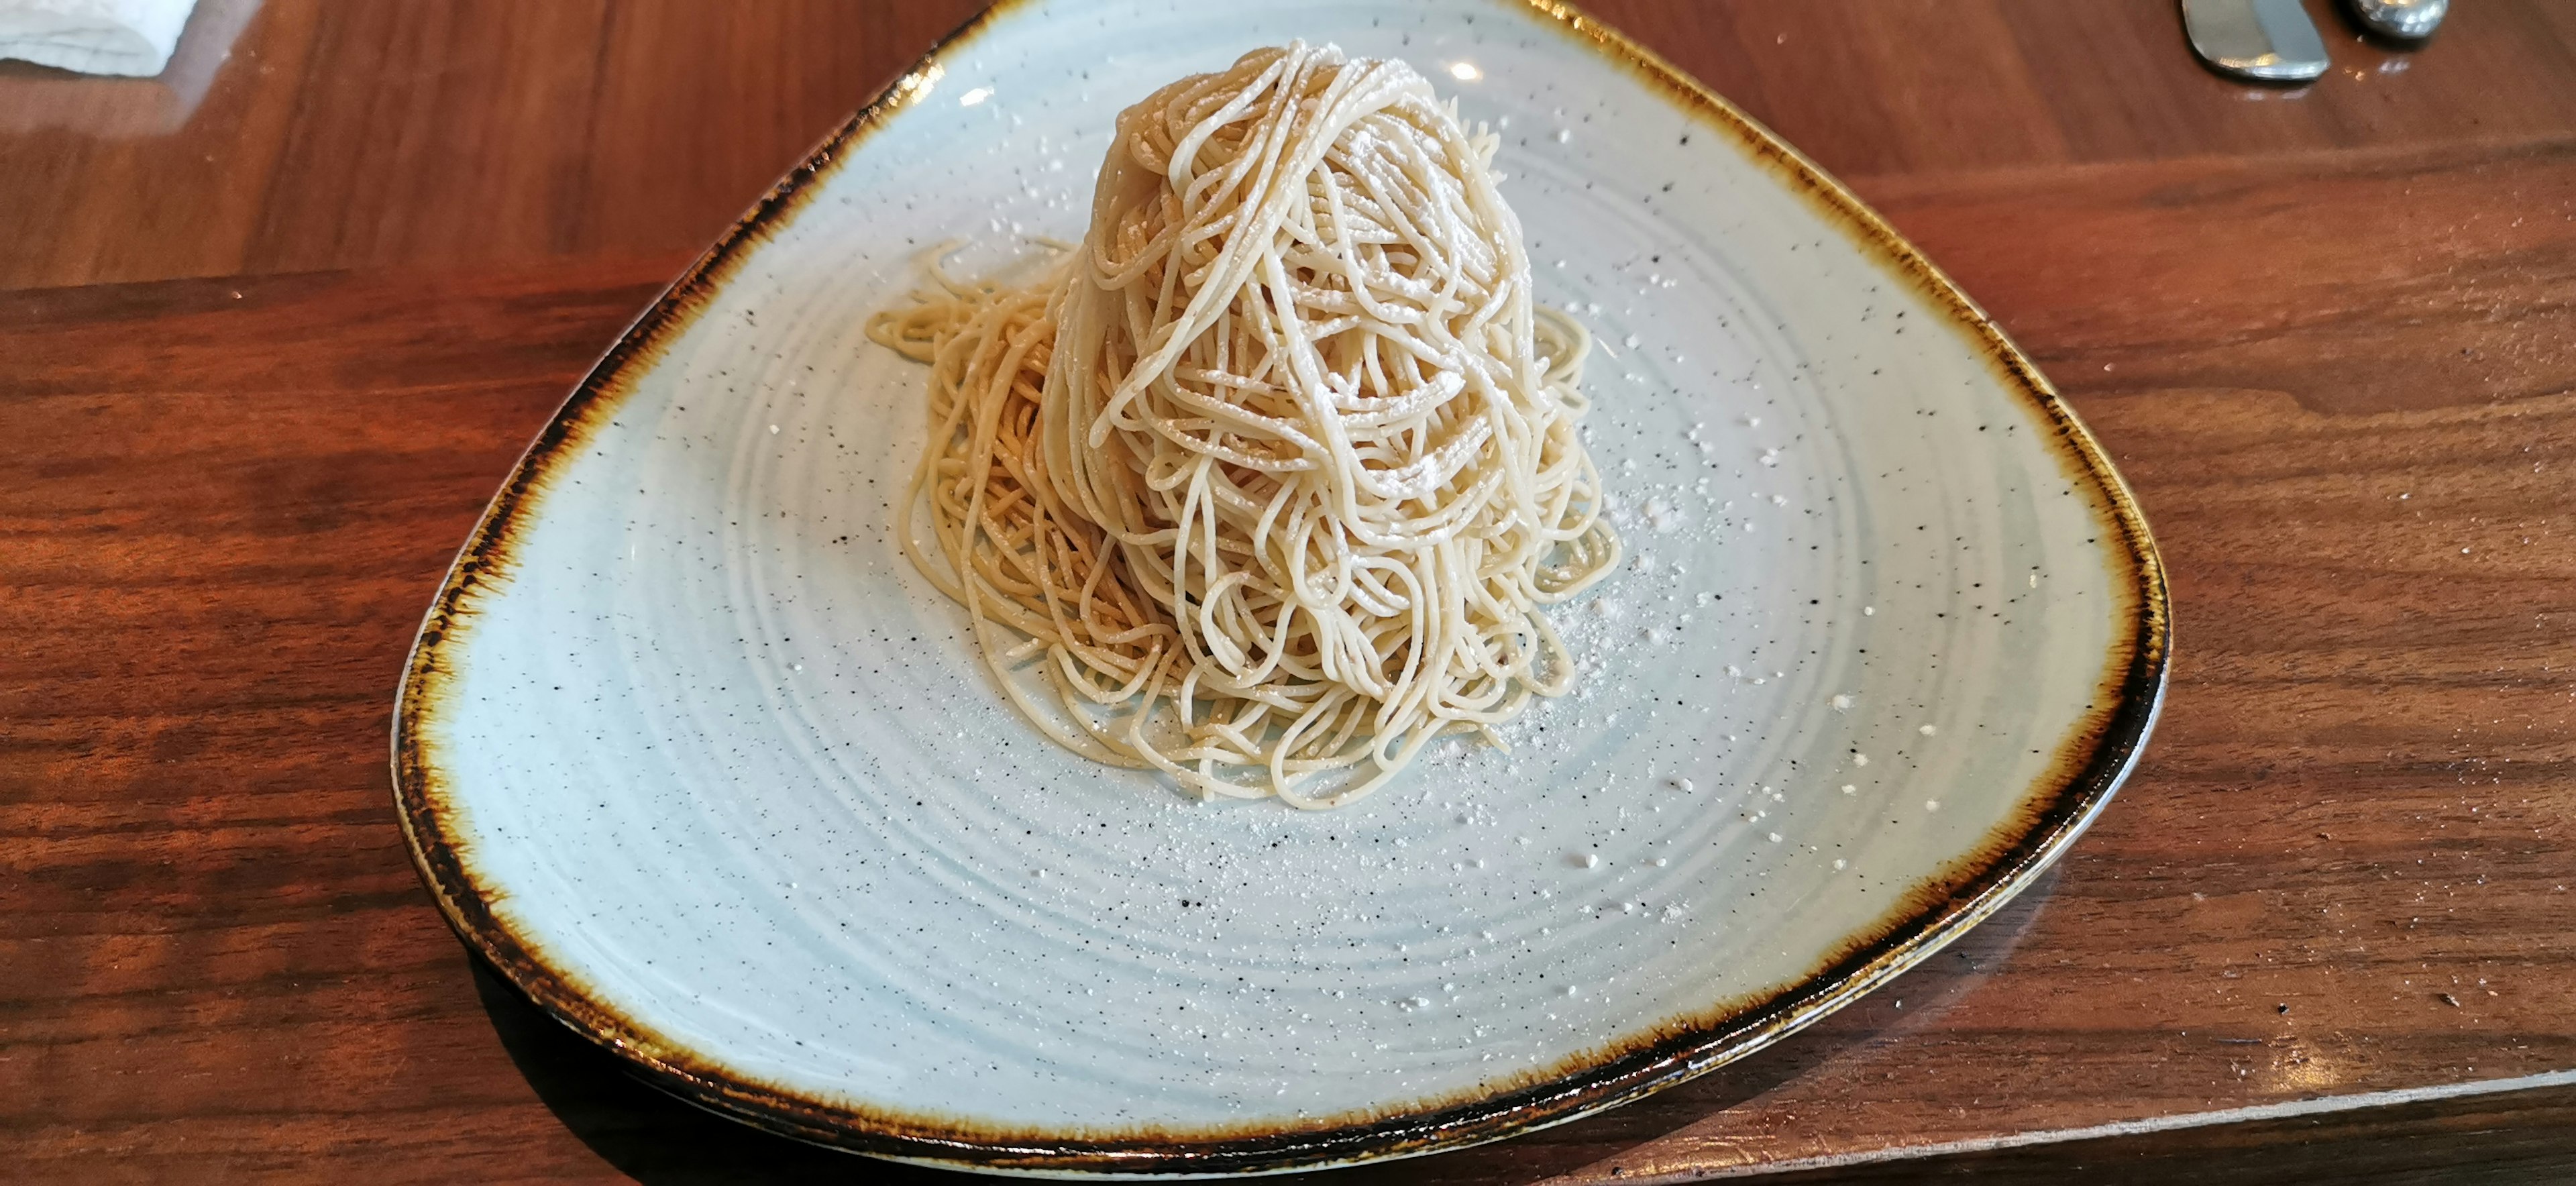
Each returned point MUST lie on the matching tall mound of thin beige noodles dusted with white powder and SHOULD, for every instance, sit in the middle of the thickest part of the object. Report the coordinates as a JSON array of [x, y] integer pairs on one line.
[[1269, 481]]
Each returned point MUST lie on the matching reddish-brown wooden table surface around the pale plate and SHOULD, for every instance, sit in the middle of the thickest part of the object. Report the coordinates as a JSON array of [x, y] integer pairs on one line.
[[274, 329]]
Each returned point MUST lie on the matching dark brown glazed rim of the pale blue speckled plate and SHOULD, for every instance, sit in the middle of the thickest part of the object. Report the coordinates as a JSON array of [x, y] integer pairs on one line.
[[1946, 906]]
